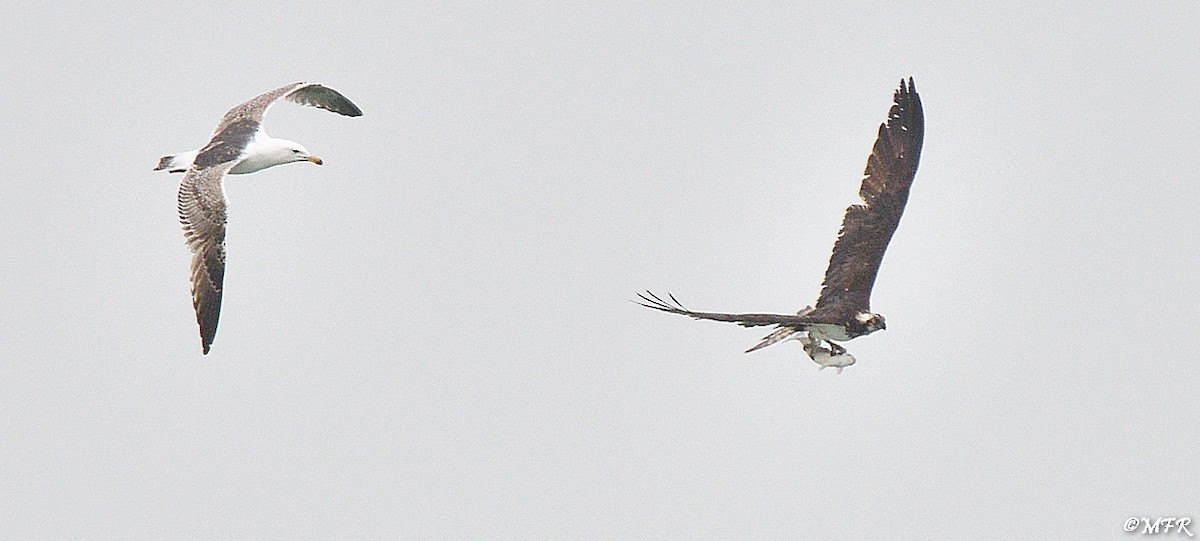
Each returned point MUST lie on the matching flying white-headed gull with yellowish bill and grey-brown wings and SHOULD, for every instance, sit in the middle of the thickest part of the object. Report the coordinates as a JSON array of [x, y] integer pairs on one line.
[[238, 146]]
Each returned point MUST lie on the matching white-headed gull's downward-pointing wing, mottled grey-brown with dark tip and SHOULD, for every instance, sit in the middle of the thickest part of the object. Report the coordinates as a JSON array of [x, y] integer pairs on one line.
[[202, 209]]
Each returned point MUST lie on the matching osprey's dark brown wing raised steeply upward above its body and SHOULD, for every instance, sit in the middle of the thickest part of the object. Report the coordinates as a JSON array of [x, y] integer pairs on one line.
[[868, 229]]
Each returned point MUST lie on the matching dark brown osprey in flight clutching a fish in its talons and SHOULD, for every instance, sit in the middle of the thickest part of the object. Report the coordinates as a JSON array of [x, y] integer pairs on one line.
[[844, 310]]
